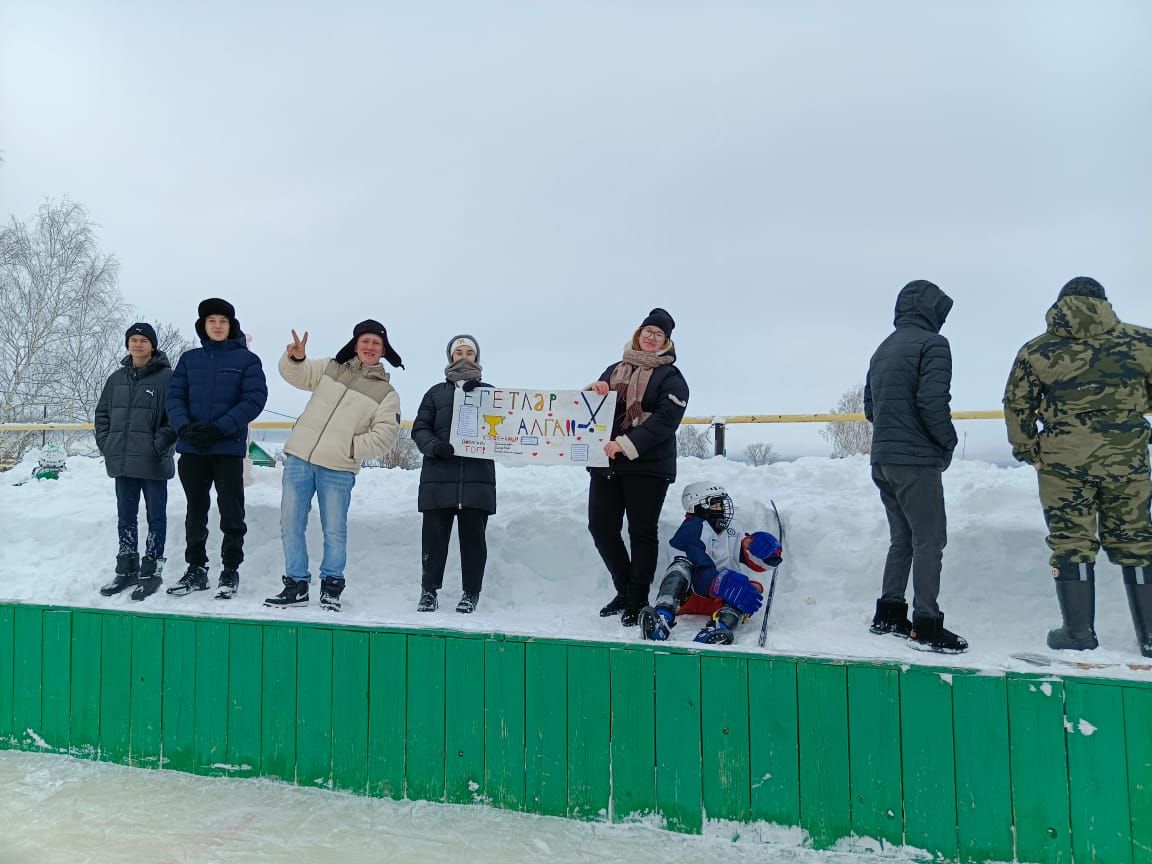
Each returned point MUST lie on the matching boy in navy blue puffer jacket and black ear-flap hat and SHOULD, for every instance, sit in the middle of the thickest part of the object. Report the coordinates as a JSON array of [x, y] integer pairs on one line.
[[215, 393]]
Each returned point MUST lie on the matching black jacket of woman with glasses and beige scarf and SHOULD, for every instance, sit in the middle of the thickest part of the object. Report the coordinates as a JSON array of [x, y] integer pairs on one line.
[[655, 441]]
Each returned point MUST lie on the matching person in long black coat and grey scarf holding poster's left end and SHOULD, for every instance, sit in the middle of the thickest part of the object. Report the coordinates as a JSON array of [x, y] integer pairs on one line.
[[452, 487]]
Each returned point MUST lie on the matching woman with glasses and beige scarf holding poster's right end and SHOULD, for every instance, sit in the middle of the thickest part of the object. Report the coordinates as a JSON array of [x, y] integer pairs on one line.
[[651, 399]]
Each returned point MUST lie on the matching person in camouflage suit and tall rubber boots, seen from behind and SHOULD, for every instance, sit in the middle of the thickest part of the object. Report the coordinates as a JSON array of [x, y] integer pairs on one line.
[[1088, 381]]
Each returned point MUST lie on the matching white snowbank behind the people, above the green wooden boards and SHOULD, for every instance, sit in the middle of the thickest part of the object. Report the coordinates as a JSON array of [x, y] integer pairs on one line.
[[544, 577]]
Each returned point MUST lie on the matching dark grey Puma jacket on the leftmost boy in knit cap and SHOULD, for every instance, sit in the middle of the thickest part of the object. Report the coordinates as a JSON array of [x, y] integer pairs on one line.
[[132, 428]]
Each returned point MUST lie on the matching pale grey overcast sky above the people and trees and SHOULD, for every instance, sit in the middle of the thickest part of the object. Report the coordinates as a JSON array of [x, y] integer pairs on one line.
[[541, 175]]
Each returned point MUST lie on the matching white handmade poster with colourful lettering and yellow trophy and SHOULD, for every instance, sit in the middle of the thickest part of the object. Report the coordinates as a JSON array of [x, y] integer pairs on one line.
[[529, 427]]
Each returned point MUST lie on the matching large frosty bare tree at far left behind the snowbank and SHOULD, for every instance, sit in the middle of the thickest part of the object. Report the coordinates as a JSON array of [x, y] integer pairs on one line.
[[62, 320]]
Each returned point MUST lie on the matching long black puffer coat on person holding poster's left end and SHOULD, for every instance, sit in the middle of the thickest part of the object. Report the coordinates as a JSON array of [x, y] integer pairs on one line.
[[452, 483]]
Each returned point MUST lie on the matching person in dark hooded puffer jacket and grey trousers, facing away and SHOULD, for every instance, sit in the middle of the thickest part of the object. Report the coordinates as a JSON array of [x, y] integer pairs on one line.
[[907, 399]]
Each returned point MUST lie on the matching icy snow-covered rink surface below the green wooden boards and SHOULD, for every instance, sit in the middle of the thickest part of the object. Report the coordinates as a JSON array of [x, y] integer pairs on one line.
[[60, 810]]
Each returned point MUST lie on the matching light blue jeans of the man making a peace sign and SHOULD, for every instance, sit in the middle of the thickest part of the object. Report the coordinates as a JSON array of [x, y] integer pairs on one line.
[[334, 491]]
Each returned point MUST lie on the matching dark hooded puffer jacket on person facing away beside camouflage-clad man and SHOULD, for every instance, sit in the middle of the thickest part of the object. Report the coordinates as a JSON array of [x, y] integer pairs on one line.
[[908, 392]]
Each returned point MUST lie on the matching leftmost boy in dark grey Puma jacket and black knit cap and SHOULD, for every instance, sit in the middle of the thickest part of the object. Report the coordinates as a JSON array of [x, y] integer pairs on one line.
[[137, 441]]
